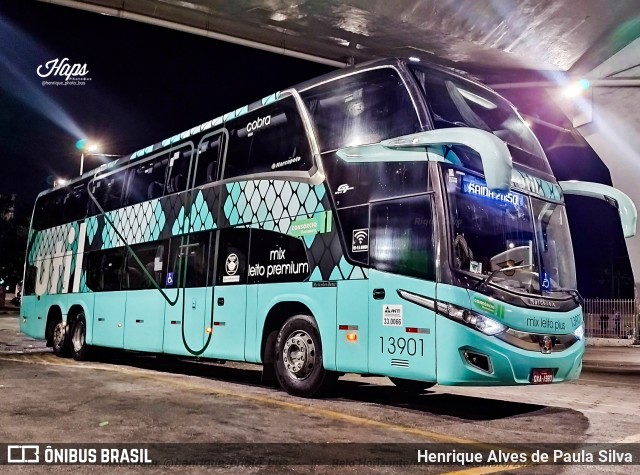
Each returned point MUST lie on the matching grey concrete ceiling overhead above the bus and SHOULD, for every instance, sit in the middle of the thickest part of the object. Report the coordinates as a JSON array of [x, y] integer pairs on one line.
[[477, 35]]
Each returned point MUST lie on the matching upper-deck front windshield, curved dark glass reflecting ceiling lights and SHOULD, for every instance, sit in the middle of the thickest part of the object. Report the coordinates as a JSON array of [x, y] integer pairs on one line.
[[455, 102]]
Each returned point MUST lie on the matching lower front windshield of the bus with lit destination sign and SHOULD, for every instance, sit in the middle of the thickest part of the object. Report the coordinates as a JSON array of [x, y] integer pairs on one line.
[[522, 240]]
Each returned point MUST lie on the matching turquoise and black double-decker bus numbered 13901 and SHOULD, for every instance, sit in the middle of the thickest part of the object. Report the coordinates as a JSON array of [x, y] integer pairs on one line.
[[393, 218]]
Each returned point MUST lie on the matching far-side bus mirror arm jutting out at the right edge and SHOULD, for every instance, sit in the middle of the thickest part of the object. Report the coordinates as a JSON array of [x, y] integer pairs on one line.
[[626, 207]]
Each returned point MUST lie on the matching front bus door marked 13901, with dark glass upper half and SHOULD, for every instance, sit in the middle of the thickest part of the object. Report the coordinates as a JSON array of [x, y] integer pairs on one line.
[[402, 288]]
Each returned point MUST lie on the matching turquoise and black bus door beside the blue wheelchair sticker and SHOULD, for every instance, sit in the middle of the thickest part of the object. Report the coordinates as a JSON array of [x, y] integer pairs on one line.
[[186, 319]]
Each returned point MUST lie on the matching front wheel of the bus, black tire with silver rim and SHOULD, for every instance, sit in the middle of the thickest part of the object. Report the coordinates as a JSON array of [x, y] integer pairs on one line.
[[298, 358]]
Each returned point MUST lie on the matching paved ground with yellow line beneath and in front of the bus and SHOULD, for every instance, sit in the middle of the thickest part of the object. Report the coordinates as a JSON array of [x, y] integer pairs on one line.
[[125, 398]]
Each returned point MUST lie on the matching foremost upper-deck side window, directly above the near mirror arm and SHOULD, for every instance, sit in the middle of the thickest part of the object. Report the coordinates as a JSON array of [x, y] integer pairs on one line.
[[361, 108]]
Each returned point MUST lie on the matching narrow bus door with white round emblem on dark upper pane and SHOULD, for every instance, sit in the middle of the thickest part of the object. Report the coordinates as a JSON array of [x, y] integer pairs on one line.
[[230, 295]]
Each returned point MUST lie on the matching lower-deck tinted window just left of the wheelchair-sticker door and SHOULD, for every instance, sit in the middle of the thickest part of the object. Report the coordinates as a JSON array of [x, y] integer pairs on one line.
[[153, 257]]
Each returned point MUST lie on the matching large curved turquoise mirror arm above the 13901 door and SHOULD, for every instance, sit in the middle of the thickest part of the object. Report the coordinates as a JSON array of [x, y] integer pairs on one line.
[[496, 158]]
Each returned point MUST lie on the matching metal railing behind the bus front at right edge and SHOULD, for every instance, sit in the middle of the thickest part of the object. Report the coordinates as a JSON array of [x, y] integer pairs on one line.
[[611, 318]]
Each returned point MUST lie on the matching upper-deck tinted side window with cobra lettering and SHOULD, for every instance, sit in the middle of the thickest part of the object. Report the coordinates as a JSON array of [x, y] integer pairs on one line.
[[269, 139]]
